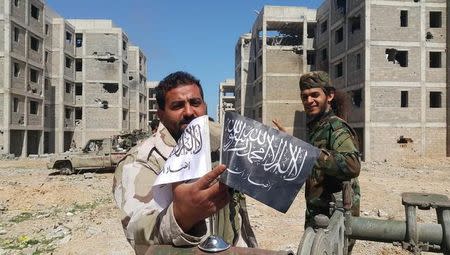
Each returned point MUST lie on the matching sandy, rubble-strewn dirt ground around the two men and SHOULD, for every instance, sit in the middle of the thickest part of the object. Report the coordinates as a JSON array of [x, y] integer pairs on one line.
[[42, 212]]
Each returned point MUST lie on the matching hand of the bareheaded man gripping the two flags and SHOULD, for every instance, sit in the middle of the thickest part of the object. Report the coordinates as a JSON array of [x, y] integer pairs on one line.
[[193, 202]]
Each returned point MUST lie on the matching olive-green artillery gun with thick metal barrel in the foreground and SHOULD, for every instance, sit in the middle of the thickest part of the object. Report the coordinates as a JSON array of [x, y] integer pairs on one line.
[[332, 235]]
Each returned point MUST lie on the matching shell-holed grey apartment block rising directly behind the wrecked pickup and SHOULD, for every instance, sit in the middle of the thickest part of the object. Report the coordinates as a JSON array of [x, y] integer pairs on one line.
[[101, 77]]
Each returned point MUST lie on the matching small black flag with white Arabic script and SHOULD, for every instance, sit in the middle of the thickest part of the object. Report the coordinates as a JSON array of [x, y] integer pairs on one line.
[[264, 163]]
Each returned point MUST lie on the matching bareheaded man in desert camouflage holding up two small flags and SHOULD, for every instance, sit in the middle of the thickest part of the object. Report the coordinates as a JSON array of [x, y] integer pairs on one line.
[[180, 100]]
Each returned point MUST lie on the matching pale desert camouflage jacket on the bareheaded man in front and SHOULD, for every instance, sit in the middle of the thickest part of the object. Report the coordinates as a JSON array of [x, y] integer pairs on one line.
[[143, 222]]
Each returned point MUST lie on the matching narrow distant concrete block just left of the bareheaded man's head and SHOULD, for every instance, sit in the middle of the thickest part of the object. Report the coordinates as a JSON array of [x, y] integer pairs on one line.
[[137, 66]]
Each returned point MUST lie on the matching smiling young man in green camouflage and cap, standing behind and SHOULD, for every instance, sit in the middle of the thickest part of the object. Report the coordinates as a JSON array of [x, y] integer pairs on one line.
[[340, 159]]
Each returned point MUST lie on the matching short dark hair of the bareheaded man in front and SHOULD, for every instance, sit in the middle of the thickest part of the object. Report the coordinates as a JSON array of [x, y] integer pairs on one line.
[[172, 81]]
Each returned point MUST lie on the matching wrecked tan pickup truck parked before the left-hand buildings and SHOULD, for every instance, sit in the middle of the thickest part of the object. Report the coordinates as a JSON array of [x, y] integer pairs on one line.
[[96, 154]]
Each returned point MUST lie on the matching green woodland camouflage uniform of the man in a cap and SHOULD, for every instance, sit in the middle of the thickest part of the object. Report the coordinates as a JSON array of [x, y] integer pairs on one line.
[[339, 161]]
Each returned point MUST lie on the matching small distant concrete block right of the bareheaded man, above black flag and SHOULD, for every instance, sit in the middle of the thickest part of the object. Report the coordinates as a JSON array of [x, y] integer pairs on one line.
[[226, 98]]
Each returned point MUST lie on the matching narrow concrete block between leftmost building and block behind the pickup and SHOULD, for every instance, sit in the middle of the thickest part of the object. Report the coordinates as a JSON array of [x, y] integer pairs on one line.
[[59, 83]]
